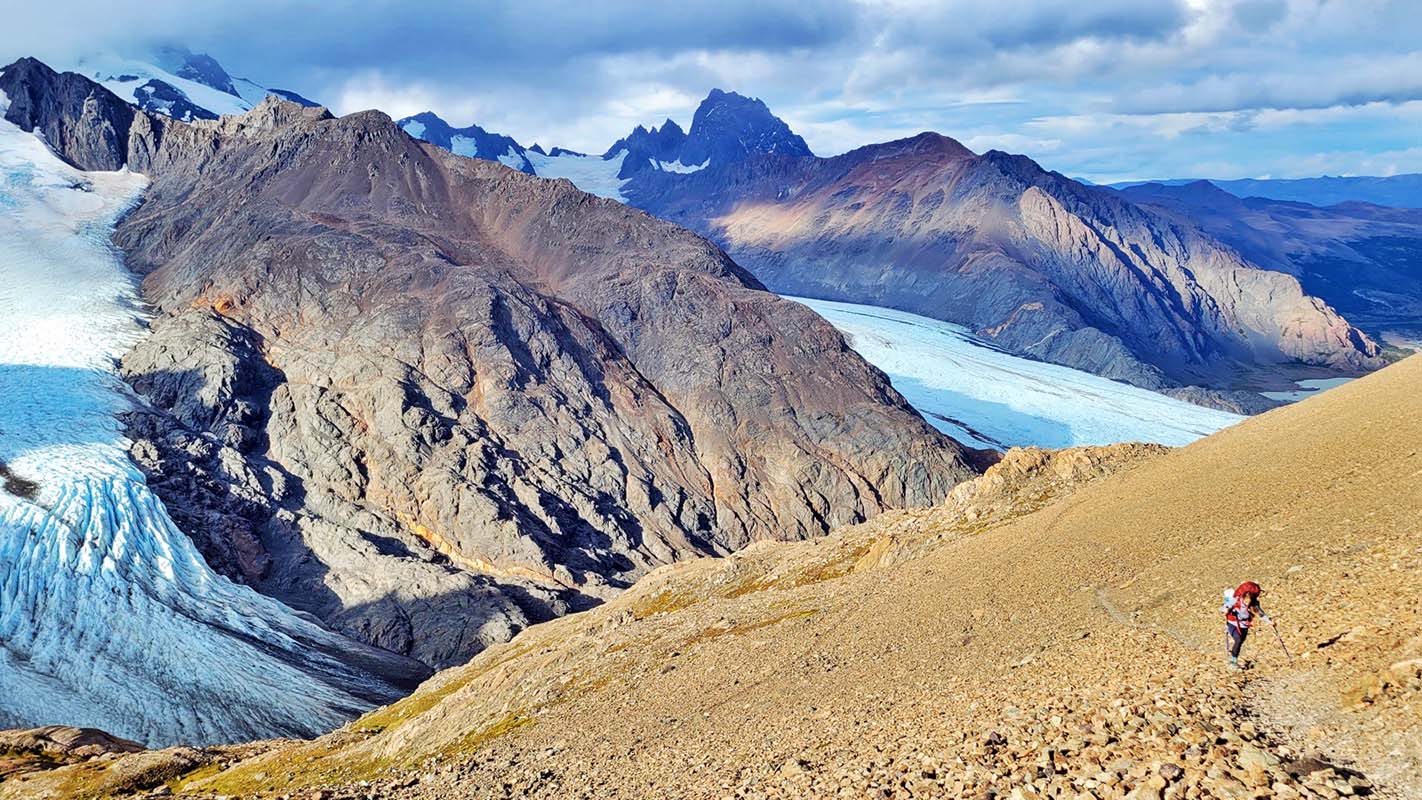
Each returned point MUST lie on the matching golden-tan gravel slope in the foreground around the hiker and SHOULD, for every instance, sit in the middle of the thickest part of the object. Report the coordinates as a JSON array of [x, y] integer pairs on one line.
[[1053, 627]]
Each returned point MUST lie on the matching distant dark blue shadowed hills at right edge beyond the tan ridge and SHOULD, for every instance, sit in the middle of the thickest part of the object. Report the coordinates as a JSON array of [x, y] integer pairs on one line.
[[1364, 261]]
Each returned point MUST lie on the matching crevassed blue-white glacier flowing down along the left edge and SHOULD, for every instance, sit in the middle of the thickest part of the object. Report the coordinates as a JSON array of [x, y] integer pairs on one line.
[[109, 615]]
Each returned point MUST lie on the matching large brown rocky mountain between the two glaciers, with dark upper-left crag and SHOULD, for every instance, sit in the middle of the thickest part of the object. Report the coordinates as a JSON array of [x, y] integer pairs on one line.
[[432, 400]]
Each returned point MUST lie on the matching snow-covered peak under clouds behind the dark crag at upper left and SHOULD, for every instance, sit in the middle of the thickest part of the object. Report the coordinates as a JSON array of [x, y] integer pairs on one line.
[[177, 83]]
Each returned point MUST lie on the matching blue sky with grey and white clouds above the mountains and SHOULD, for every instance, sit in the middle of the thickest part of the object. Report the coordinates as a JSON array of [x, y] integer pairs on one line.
[[1104, 90]]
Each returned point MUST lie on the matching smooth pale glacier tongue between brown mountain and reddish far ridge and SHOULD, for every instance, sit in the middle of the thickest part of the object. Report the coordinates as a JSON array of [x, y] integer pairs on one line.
[[988, 399]]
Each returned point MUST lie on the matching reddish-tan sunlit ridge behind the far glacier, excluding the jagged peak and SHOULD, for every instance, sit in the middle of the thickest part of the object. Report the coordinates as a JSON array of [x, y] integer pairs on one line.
[[1032, 261]]
